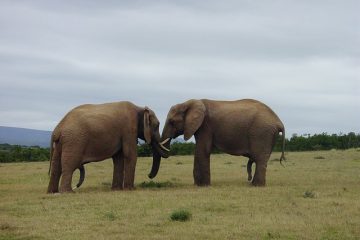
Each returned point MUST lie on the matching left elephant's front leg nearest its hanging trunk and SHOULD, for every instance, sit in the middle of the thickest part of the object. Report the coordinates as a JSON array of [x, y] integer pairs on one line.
[[130, 156]]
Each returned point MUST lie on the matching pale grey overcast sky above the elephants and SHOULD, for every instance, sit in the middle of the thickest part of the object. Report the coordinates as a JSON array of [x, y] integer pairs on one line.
[[301, 58]]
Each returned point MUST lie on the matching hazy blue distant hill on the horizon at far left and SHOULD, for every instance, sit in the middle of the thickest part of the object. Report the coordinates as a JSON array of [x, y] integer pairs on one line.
[[24, 136]]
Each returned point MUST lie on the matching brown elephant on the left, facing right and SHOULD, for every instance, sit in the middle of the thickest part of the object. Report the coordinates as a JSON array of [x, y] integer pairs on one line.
[[95, 132]]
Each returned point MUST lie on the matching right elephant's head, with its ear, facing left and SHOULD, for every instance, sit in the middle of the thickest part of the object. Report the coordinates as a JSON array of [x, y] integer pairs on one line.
[[182, 119]]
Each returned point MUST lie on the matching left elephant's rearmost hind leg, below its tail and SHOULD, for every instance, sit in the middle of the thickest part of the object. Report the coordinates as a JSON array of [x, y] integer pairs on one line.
[[55, 172]]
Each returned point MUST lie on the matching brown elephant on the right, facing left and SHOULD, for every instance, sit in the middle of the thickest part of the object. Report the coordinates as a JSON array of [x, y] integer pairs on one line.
[[244, 127]]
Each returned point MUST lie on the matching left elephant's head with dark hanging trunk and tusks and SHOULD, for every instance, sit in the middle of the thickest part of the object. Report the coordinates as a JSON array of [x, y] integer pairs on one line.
[[151, 135]]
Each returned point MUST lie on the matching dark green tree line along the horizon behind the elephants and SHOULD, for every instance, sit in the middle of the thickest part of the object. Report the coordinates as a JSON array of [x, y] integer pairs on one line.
[[305, 142]]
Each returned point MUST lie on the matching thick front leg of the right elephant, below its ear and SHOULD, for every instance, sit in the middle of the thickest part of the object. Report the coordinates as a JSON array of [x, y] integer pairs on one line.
[[202, 162]]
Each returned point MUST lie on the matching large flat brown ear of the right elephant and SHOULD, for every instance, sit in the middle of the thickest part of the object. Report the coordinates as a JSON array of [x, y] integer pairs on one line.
[[194, 117]]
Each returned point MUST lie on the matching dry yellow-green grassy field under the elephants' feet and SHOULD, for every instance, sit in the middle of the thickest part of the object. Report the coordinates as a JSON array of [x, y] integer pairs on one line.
[[316, 196]]
